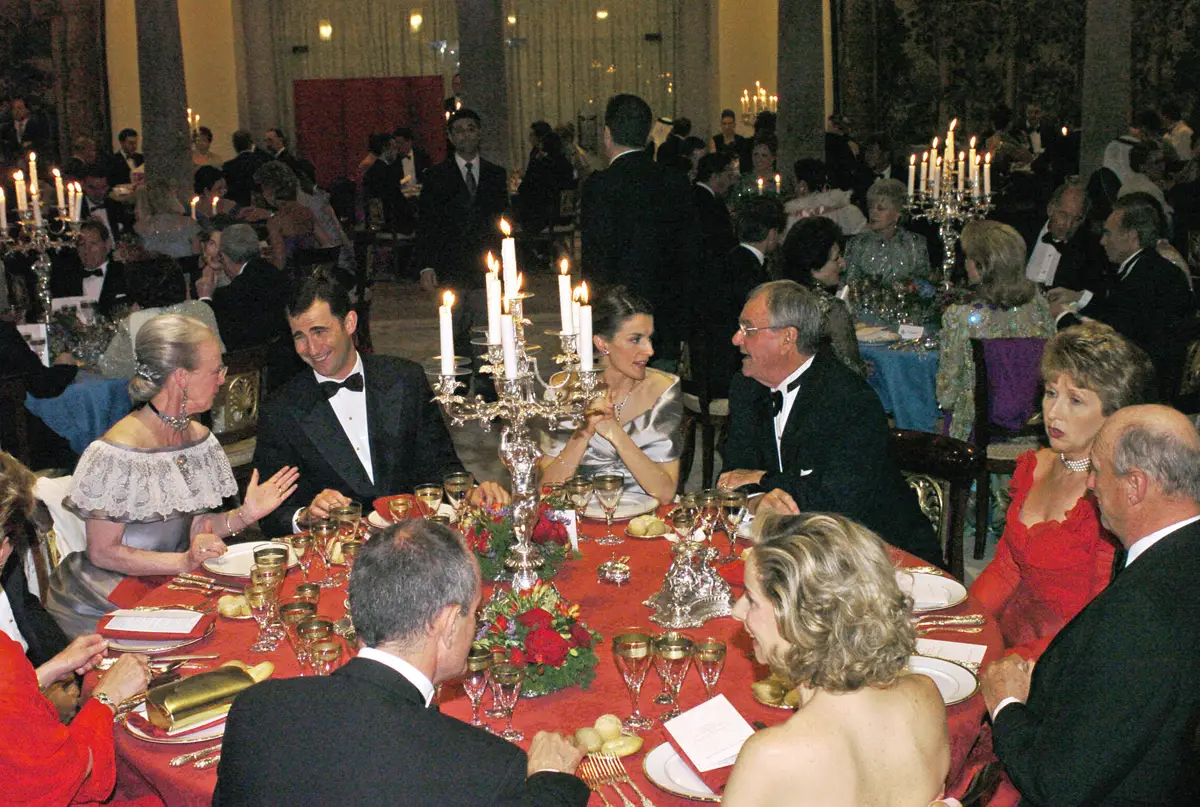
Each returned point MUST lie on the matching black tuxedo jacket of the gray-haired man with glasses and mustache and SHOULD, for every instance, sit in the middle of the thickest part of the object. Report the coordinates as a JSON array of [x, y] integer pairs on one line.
[[836, 453]]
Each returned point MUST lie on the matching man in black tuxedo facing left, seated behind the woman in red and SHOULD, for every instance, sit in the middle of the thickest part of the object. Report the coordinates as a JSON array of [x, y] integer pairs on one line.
[[1149, 300]]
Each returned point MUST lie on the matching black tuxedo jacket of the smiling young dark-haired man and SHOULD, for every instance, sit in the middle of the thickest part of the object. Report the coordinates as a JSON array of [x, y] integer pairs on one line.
[[410, 443]]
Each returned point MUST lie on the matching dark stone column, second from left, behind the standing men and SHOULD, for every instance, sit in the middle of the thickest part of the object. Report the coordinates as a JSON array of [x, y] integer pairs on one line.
[[484, 75]]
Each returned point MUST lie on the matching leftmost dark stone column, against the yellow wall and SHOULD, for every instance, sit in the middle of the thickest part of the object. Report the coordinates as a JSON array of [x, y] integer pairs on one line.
[[165, 136]]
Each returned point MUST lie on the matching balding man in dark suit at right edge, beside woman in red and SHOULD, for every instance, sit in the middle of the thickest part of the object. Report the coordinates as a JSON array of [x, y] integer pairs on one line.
[[1108, 715]]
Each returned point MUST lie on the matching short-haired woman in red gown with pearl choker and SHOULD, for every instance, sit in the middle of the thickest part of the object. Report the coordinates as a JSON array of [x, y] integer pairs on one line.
[[1054, 557]]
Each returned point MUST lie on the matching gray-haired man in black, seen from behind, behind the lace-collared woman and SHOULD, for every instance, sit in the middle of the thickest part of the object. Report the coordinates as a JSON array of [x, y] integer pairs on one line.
[[250, 309]]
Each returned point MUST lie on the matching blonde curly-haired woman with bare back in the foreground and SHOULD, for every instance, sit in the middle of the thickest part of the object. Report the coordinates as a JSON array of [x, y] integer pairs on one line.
[[824, 611]]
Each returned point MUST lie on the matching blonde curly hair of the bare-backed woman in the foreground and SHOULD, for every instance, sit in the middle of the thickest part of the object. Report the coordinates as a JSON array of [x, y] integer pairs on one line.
[[837, 603]]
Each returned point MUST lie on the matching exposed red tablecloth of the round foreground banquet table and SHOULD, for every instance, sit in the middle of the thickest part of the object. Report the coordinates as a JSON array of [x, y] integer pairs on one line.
[[143, 769]]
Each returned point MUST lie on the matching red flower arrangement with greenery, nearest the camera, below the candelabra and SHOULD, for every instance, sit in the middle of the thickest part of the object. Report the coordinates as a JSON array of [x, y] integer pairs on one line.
[[537, 627]]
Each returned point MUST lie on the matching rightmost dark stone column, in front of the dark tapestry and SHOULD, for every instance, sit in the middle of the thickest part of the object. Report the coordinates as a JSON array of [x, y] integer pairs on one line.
[[1107, 87]]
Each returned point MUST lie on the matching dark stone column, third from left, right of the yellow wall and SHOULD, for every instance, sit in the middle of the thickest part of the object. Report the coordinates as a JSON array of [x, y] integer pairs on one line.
[[802, 82]]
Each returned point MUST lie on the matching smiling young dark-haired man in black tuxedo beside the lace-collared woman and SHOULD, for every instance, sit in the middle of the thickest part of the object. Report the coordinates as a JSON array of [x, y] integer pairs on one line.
[[357, 427]]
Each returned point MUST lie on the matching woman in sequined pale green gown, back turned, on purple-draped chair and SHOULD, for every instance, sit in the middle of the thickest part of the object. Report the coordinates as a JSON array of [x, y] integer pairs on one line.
[[1006, 304]]
